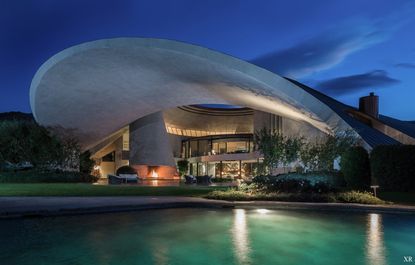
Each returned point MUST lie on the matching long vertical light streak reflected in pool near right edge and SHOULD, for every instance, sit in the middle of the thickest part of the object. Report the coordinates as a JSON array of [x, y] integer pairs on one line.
[[375, 247]]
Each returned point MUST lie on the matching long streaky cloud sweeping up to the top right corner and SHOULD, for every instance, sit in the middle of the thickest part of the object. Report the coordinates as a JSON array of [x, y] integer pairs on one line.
[[331, 47]]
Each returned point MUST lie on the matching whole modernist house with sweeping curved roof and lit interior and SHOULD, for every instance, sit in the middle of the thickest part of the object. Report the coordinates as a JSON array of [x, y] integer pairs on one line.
[[151, 102]]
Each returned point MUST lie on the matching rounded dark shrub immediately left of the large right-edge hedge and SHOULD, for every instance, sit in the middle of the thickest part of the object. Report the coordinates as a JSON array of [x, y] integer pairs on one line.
[[355, 167]]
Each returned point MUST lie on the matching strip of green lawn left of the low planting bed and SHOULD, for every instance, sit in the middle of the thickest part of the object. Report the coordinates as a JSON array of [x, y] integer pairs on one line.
[[82, 189]]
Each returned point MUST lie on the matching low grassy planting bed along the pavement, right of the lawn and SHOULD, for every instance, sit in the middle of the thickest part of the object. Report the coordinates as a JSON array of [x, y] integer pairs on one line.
[[345, 197]]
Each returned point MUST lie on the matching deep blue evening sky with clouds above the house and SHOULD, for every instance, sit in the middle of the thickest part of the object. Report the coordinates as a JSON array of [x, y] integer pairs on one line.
[[343, 48]]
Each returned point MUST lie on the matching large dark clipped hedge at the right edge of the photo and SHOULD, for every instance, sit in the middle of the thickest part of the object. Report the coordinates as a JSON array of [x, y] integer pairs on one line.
[[393, 167]]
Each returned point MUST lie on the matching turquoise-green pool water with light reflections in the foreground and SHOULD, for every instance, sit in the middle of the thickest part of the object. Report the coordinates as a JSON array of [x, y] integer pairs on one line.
[[210, 236]]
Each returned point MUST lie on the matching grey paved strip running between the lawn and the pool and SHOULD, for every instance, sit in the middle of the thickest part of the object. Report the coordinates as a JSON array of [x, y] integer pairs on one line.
[[12, 207]]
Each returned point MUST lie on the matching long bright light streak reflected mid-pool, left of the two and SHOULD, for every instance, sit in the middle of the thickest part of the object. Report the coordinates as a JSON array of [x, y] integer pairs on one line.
[[240, 237]]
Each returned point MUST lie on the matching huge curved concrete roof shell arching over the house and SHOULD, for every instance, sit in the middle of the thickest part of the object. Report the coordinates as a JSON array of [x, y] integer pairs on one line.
[[101, 86]]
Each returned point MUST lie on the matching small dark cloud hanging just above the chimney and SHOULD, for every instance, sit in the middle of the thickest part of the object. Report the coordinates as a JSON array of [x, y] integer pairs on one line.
[[353, 83]]
